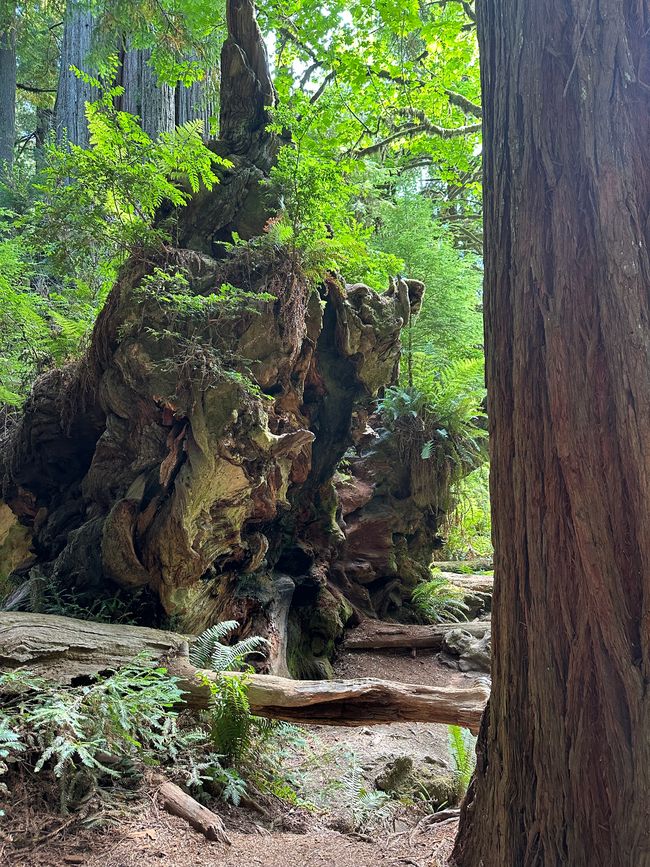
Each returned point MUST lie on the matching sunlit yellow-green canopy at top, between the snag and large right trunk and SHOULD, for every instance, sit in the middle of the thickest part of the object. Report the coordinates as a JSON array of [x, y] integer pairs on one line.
[[377, 76]]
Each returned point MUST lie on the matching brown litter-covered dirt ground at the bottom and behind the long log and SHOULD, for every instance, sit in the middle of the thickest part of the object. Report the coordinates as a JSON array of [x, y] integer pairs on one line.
[[340, 821]]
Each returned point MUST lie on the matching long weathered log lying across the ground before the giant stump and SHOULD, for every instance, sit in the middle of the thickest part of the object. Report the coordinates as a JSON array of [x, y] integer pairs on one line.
[[64, 649]]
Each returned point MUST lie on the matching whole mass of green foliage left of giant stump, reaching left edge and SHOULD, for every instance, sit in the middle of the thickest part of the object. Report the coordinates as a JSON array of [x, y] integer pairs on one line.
[[78, 220]]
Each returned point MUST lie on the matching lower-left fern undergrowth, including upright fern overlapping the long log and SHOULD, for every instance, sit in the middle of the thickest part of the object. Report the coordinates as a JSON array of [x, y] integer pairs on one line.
[[97, 739]]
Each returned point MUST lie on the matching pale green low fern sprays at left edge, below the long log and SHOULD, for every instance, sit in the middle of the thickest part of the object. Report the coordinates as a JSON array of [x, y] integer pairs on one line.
[[72, 732]]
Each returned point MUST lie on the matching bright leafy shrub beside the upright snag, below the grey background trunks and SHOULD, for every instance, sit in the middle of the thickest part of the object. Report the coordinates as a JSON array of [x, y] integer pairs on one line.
[[111, 191]]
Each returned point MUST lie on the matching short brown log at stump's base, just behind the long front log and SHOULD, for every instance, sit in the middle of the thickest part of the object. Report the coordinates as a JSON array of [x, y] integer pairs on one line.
[[379, 635]]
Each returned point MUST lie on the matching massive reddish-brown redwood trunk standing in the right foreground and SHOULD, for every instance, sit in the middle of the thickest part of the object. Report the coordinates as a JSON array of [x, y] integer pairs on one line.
[[564, 754]]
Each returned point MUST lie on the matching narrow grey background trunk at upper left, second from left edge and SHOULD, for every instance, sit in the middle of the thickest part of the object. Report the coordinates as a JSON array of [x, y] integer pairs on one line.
[[72, 93]]
